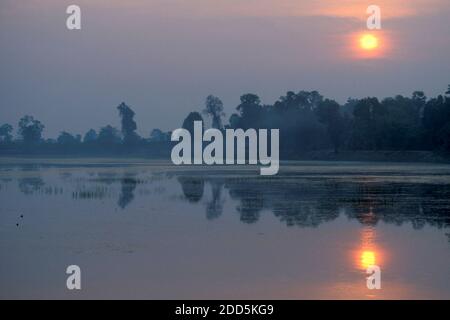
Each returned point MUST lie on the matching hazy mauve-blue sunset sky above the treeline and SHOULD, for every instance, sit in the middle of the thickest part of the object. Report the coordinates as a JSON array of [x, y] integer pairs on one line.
[[163, 57]]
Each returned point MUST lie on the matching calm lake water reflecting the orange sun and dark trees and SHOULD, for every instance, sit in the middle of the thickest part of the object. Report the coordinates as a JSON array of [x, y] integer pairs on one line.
[[143, 229]]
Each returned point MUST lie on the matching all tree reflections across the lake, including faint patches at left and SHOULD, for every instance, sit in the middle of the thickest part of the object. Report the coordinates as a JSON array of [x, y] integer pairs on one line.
[[295, 201]]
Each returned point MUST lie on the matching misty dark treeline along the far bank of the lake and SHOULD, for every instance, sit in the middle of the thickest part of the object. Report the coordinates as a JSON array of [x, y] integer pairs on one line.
[[307, 121]]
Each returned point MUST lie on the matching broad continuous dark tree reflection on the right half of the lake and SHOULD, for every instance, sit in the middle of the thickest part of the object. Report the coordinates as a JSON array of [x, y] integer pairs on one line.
[[310, 202]]
